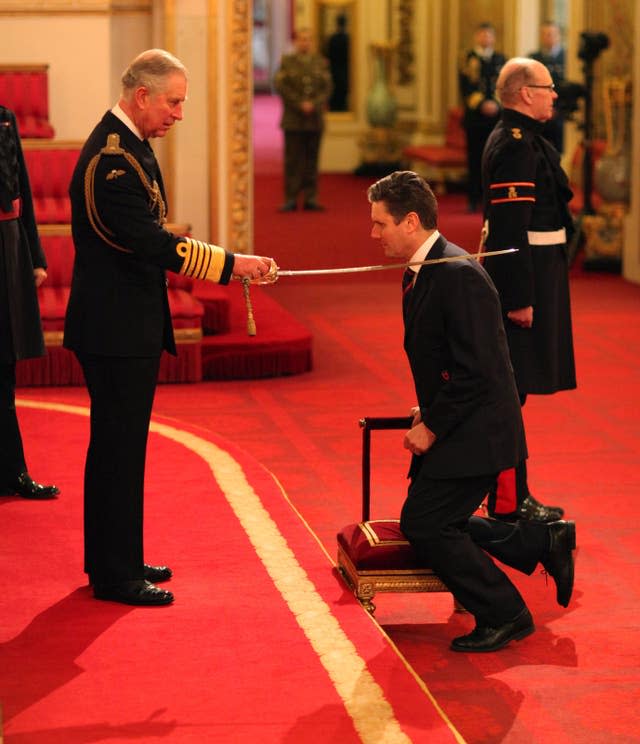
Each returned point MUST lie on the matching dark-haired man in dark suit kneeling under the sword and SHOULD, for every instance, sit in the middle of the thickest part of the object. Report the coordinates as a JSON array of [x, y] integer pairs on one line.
[[467, 425]]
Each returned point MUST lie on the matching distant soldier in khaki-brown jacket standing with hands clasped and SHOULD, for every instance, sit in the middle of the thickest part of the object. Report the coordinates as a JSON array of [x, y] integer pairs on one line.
[[304, 84]]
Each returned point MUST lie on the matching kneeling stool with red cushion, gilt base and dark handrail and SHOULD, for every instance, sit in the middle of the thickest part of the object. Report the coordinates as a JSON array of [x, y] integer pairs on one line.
[[373, 555]]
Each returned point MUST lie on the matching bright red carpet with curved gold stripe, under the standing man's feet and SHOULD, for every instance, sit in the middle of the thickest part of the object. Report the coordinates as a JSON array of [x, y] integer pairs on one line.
[[263, 643]]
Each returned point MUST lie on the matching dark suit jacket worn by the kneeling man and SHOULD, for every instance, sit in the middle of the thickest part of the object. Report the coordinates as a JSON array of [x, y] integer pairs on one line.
[[457, 349]]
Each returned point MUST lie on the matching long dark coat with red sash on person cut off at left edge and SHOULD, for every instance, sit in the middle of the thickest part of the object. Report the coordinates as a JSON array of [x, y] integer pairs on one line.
[[20, 252]]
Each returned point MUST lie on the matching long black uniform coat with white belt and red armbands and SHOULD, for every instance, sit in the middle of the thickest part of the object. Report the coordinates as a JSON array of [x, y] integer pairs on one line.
[[526, 194]]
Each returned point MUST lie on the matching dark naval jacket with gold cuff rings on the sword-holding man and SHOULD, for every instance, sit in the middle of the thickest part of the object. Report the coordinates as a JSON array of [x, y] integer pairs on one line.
[[118, 304]]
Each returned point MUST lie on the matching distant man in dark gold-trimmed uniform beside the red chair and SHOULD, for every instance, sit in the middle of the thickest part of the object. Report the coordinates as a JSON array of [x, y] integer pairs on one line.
[[478, 74]]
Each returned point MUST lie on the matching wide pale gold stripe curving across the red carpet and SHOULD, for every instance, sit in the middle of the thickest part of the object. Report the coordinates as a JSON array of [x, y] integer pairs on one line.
[[363, 698]]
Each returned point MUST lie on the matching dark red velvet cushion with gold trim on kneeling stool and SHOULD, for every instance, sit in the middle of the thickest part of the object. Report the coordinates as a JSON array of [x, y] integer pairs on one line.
[[377, 545]]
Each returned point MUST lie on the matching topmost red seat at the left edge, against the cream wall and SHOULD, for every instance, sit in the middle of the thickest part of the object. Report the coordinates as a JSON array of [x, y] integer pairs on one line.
[[25, 90]]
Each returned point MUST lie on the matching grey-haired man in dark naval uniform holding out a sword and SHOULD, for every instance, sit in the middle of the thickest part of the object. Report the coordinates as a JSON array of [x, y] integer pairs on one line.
[[118, 321]]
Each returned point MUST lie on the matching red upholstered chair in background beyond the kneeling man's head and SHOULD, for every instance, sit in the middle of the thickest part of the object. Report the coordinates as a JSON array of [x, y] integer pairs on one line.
[[447, 161]]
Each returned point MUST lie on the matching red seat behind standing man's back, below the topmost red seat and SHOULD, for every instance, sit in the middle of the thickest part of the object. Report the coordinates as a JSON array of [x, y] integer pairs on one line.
[[50, 167]]
